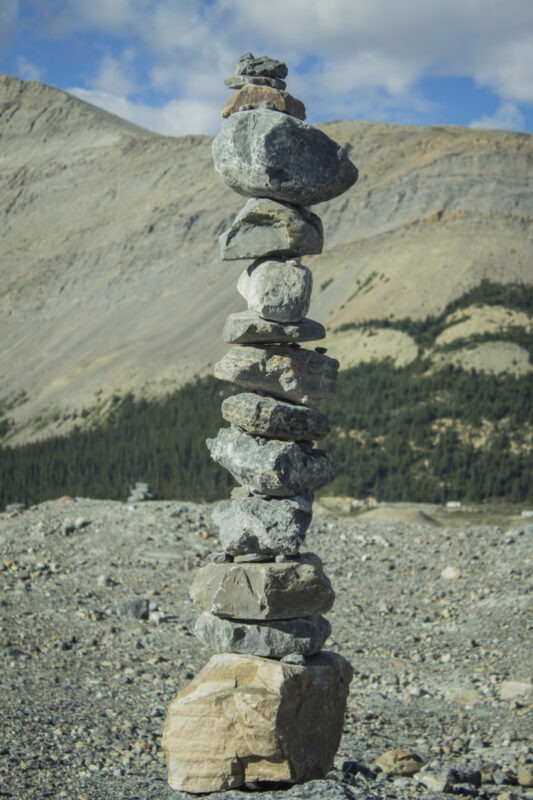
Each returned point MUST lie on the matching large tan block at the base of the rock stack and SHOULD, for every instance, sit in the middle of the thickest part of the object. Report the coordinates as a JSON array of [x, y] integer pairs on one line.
[[245, 719]]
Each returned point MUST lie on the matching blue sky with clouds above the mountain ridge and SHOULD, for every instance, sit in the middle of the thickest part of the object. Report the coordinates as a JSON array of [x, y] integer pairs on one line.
[[162, 63]]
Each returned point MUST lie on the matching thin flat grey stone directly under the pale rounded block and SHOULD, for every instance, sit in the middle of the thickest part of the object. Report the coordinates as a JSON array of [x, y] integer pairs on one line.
[[247, 327]]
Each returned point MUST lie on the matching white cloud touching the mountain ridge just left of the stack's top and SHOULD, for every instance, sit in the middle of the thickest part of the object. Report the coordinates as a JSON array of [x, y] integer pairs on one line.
[[175, 118]]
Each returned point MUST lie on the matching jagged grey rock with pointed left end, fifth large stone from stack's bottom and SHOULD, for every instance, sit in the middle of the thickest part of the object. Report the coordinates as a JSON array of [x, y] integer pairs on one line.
[[270, 466]]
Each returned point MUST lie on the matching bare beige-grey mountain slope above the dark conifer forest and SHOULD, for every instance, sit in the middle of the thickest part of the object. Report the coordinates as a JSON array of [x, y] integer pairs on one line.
[[110, 273]]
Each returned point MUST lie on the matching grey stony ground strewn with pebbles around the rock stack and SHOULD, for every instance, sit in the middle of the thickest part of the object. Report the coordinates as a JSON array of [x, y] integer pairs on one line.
[[432, 611]]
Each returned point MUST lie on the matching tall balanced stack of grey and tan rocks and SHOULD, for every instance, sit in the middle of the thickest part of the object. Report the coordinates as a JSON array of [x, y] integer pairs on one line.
[[269, 707]]
